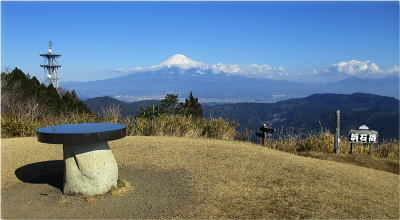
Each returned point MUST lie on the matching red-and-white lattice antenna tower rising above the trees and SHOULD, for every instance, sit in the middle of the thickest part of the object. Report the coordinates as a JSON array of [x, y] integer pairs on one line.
[[51, 66]]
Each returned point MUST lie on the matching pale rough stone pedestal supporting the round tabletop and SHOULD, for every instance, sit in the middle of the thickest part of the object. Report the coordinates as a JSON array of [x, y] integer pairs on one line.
[[90, 169]]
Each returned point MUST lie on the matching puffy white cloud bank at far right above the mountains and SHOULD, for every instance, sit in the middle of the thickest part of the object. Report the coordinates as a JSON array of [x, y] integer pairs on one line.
[[355, 68]]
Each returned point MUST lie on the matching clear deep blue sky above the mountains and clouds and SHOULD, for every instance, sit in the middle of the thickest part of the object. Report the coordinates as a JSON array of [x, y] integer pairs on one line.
[[97, 38]]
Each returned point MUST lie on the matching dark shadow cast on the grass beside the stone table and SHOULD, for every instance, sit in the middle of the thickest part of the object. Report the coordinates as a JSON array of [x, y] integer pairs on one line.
[[46, 172]]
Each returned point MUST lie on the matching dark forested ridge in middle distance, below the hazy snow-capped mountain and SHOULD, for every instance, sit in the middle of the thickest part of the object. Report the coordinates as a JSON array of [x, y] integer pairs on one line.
[[299, 116]]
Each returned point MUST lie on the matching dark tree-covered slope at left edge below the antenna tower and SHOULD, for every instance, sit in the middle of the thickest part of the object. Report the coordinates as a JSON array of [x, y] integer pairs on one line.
[[23, 94]]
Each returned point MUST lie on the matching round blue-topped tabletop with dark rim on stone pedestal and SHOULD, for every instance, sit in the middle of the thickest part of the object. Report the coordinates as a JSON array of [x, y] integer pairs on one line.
[[84, 133]]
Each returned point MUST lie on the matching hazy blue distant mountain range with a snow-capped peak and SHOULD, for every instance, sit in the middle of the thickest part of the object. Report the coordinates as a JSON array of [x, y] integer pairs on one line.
[[211, 83]]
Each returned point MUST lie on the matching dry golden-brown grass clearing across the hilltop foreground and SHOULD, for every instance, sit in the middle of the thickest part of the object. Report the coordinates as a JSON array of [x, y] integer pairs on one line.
[[172, 177]]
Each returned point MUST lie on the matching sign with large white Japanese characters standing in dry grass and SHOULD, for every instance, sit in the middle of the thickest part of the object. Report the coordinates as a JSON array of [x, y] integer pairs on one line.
[[363, 136]]
